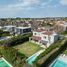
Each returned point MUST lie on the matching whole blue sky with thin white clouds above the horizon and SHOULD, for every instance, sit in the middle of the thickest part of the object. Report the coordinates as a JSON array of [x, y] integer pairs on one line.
[[33, 8]]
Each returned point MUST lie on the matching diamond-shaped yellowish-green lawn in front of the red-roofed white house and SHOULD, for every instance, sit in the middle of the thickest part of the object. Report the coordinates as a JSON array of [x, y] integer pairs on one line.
[[28, 48]]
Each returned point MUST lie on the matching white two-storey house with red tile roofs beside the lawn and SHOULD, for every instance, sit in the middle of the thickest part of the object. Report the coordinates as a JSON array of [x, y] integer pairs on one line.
[[45, 37]]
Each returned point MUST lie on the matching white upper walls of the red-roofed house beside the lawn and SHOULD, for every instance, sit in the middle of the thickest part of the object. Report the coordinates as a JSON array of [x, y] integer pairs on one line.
[[49, 38]]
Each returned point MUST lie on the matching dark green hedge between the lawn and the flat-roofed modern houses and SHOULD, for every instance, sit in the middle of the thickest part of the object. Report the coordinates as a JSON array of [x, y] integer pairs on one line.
[[18, 39]]
